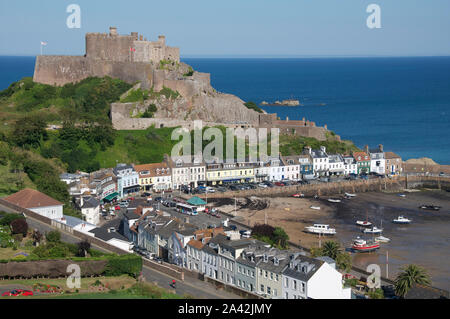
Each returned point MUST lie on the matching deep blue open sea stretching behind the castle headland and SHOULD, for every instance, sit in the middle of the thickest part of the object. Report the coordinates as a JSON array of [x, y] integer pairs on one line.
[[402, 103]]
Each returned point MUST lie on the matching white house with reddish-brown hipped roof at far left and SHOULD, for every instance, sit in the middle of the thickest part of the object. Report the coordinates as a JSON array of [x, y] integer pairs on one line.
[[37, 202]]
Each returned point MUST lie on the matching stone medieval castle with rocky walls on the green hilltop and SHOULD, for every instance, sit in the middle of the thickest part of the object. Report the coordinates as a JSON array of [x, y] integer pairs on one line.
[[155, 66]]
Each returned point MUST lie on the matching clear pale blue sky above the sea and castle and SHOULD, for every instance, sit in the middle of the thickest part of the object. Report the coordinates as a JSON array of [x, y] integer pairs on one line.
[[235, 27]]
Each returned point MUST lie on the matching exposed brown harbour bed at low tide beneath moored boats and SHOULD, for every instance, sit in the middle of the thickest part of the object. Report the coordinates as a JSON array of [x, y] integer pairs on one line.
[[425, 242]]
